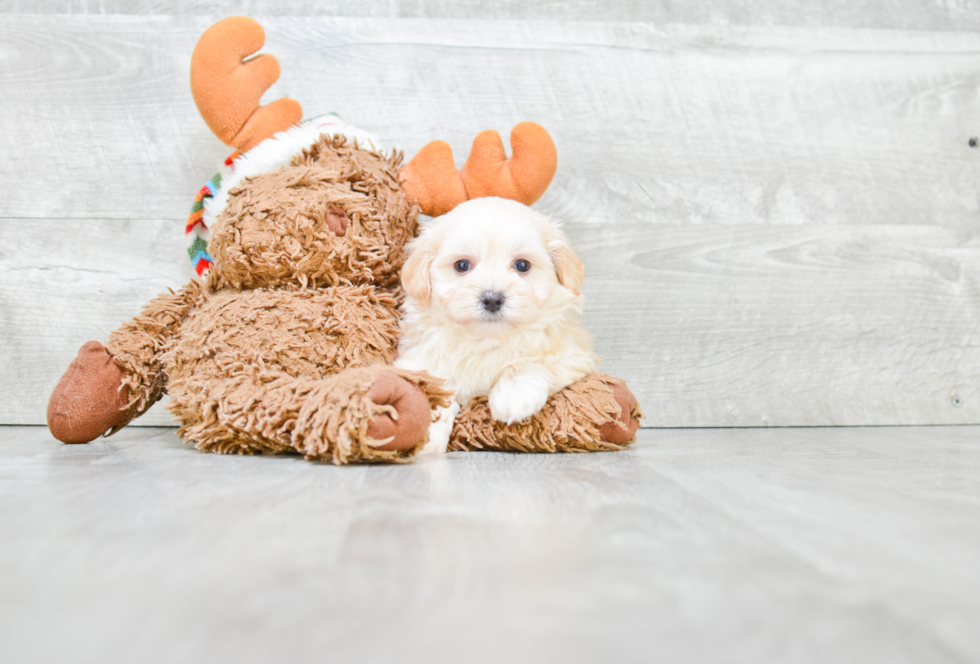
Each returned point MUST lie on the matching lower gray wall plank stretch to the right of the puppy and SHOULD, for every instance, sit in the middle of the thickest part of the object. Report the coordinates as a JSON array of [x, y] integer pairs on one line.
[[788, 325]]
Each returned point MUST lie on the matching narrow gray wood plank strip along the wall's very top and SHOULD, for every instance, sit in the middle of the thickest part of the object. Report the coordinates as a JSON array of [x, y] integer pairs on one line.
[[961, 15]]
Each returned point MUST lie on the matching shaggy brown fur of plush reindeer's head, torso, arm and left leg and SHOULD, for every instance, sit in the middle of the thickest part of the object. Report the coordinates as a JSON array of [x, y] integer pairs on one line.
[[283, 348]]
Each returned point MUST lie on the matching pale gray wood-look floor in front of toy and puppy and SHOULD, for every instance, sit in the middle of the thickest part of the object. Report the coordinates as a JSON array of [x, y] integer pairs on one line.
[[751, 545]]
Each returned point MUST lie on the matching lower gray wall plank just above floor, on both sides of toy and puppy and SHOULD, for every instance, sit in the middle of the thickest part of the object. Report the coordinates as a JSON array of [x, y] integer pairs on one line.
[[711, 325]]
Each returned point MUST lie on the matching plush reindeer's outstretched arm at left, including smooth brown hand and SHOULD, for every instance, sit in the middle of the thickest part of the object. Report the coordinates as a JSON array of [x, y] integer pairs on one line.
[[104, 388]]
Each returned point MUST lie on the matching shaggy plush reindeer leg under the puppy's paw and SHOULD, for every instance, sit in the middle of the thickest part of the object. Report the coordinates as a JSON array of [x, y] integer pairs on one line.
[[598, 413]]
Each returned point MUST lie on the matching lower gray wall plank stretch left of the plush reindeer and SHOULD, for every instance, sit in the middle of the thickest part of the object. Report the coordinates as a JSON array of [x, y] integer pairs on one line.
[[69, 281]]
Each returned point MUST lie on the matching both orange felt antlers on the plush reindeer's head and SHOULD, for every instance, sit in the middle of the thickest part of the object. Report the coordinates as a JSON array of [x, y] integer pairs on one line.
[[227, 87]]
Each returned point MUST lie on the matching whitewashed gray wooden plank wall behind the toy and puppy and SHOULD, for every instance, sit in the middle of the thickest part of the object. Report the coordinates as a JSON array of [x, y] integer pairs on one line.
[[777, 207]]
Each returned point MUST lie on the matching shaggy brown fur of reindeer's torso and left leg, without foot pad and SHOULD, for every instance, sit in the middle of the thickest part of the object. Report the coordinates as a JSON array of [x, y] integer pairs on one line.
[[253, 371]]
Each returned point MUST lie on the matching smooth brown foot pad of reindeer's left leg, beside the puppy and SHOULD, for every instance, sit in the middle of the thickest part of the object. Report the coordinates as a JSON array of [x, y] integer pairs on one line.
[[412, 407]]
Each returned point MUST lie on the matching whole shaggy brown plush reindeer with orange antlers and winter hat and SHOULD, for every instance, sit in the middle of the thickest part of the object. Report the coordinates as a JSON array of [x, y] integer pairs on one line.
[[286, 343]]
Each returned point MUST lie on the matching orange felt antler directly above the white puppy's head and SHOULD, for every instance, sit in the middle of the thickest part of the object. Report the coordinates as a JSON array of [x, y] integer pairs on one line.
[[432, 181]]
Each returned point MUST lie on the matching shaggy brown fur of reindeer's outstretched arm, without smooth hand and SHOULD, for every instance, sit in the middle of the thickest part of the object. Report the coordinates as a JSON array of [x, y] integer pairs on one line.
[[138, 345]]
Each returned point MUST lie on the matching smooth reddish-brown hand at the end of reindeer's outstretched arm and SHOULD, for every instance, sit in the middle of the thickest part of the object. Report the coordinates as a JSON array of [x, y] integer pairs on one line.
[[90, 398]]
